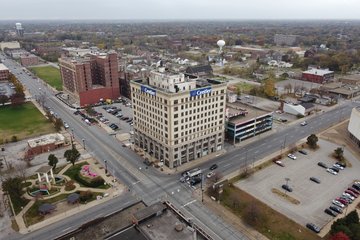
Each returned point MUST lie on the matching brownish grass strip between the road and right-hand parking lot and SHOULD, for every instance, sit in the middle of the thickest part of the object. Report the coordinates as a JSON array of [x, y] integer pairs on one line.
[[264, 219]]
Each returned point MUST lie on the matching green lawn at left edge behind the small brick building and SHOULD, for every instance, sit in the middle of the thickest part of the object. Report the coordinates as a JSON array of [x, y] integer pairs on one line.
[[23, 121]]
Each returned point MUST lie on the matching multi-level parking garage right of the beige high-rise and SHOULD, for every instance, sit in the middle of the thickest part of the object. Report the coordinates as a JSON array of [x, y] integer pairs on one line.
[[244, 122]]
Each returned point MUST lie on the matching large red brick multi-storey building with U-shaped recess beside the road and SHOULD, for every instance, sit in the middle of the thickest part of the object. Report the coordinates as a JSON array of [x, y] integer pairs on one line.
[[91, 78]]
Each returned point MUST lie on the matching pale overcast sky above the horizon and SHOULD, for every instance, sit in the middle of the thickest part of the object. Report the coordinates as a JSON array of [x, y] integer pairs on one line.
[[179, 9]]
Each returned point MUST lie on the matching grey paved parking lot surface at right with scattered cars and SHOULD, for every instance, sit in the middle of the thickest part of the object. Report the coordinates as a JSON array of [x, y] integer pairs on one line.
[[314, 198]]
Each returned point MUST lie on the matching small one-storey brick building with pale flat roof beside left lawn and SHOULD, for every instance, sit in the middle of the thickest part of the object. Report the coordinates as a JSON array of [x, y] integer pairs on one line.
[[45, 143]]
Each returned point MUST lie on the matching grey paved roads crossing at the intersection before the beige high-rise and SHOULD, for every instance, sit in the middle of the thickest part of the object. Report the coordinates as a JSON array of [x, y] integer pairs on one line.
[[151, 185]]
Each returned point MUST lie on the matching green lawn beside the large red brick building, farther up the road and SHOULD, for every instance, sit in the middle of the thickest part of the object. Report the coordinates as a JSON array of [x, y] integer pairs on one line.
[[49, 74]]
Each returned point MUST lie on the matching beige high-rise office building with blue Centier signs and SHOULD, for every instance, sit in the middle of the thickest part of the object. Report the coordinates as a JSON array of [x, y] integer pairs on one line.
[[178, 119]]
